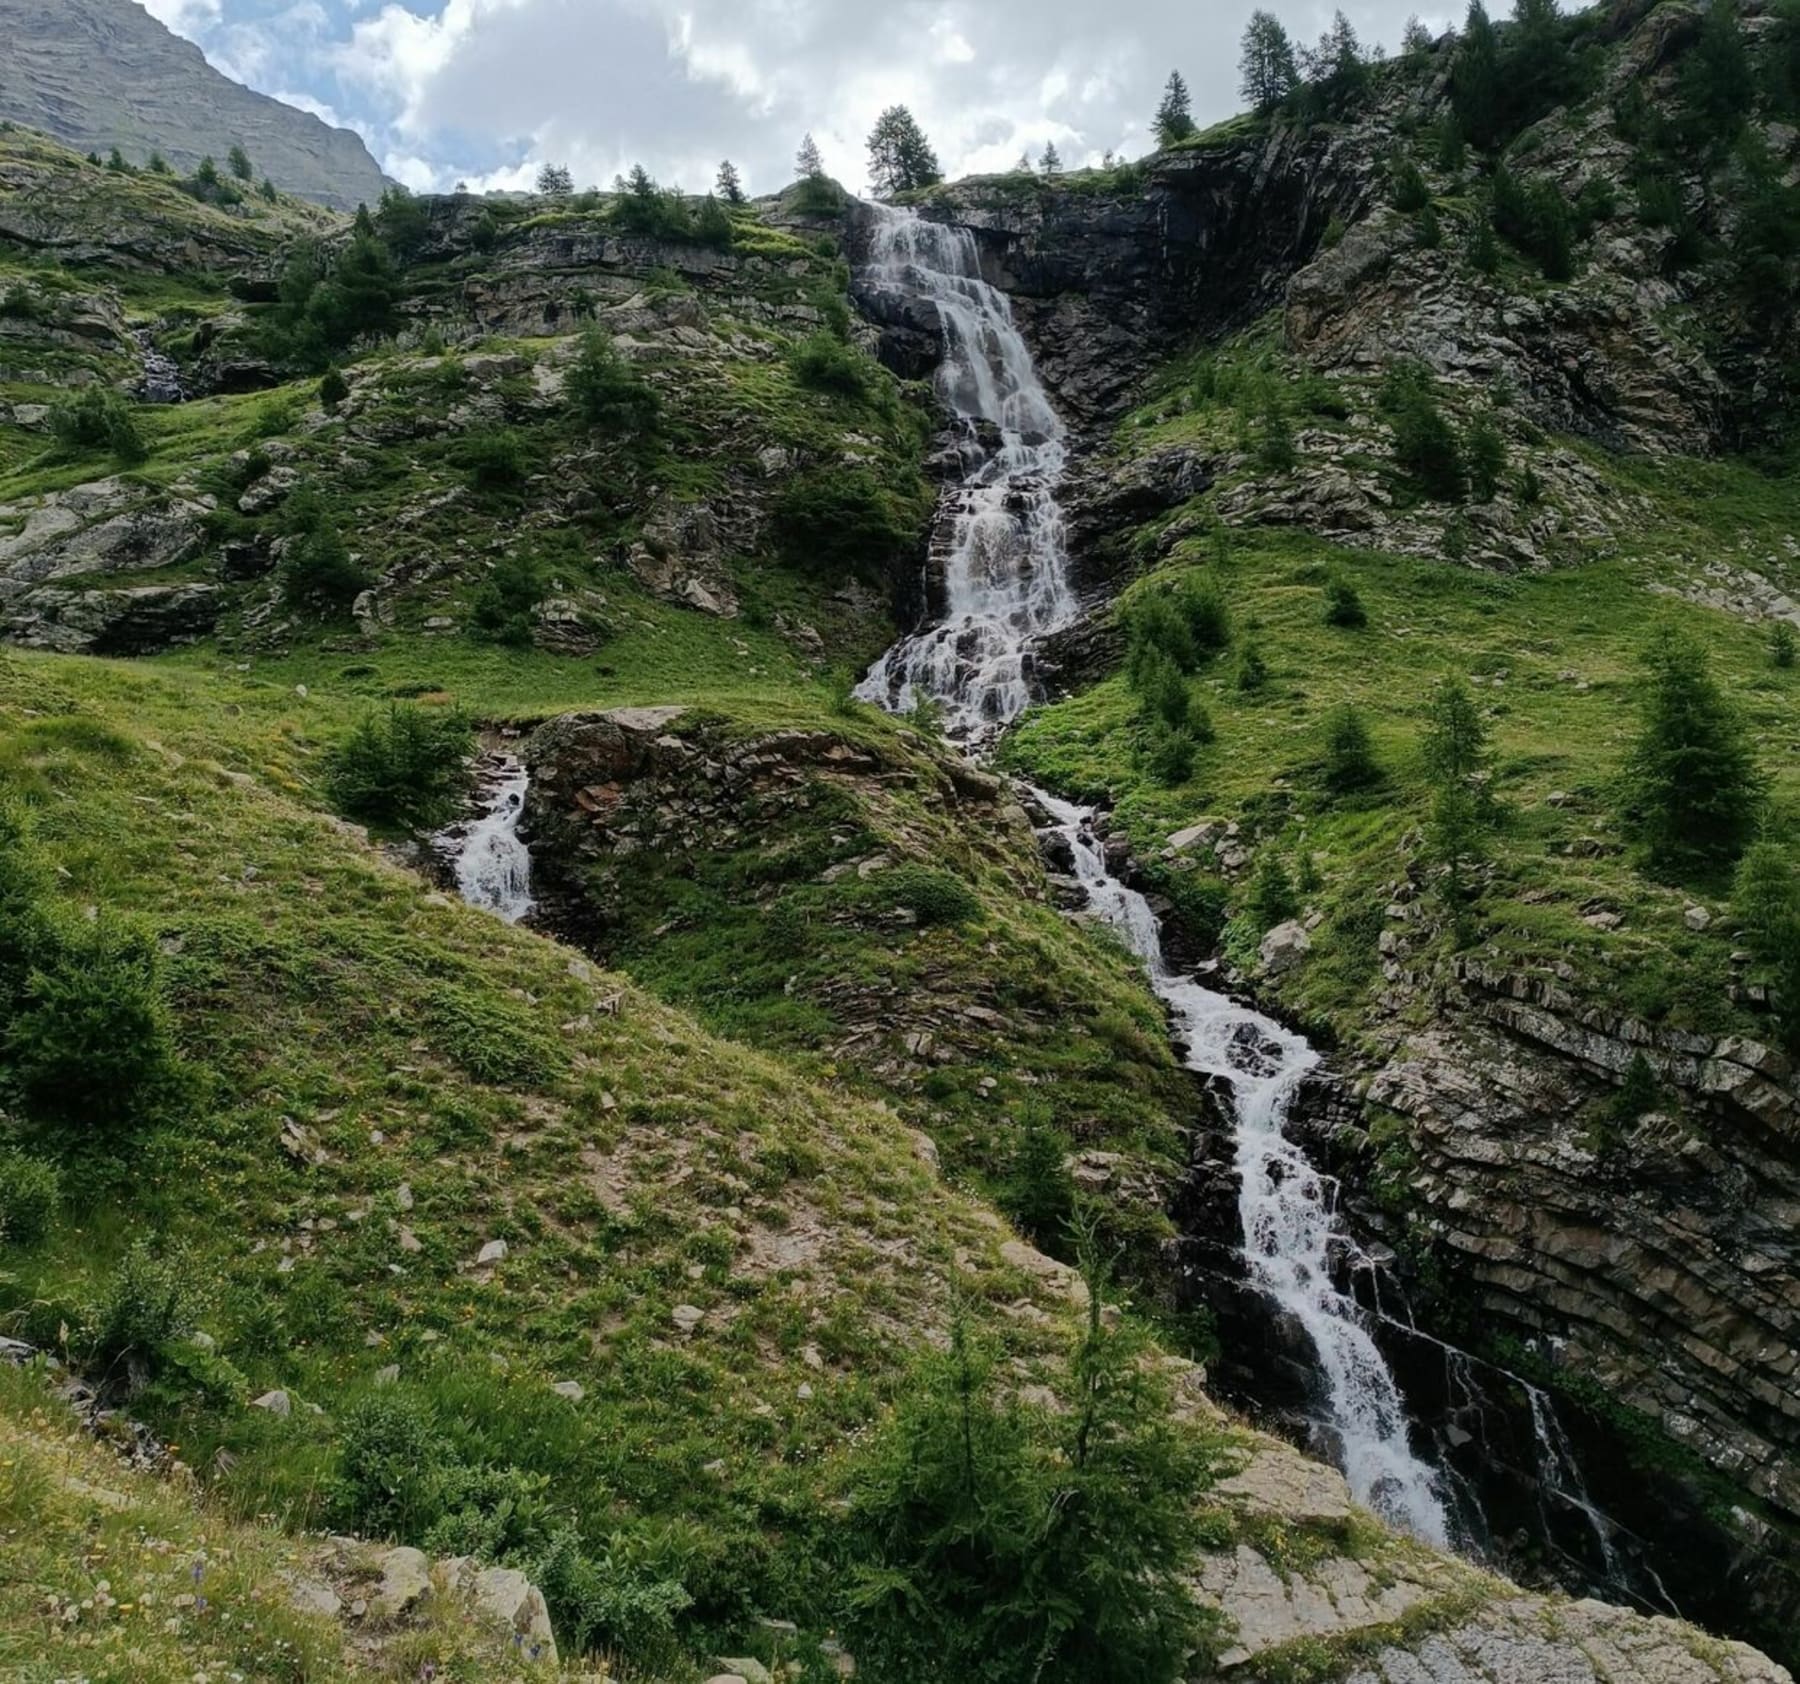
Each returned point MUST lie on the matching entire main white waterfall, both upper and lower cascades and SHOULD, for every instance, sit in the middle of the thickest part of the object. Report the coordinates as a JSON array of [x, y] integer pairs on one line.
[[1007, 586]]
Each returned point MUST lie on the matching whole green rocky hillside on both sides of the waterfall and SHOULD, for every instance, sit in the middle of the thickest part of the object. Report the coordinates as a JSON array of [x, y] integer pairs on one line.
[[796, 1248]]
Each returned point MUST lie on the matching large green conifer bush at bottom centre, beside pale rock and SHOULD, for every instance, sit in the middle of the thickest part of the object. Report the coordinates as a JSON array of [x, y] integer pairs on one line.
[[1000, 1545]]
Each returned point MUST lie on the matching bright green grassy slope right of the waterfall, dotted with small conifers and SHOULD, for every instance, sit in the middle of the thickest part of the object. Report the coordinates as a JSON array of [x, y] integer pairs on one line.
[[1554, 659]]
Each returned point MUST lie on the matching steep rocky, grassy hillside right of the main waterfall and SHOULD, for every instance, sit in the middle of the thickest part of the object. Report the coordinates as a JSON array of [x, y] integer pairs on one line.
[[1398, 452]]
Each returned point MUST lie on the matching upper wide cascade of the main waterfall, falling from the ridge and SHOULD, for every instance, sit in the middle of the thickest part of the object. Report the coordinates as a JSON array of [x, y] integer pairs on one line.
[[1002, 537]]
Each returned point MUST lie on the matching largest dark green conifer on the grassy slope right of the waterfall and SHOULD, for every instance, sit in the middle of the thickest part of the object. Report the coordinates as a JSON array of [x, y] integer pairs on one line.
[[1693, 789]]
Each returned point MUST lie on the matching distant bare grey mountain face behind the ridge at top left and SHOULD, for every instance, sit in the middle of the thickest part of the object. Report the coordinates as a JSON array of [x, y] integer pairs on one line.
[[103, 73]]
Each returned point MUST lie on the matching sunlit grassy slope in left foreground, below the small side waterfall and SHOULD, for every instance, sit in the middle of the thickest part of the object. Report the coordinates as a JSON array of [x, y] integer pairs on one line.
[[631, 1161]]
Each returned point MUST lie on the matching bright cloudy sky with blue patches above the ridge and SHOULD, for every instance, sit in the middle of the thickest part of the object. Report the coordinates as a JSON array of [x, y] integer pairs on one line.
[[487, 91]]
